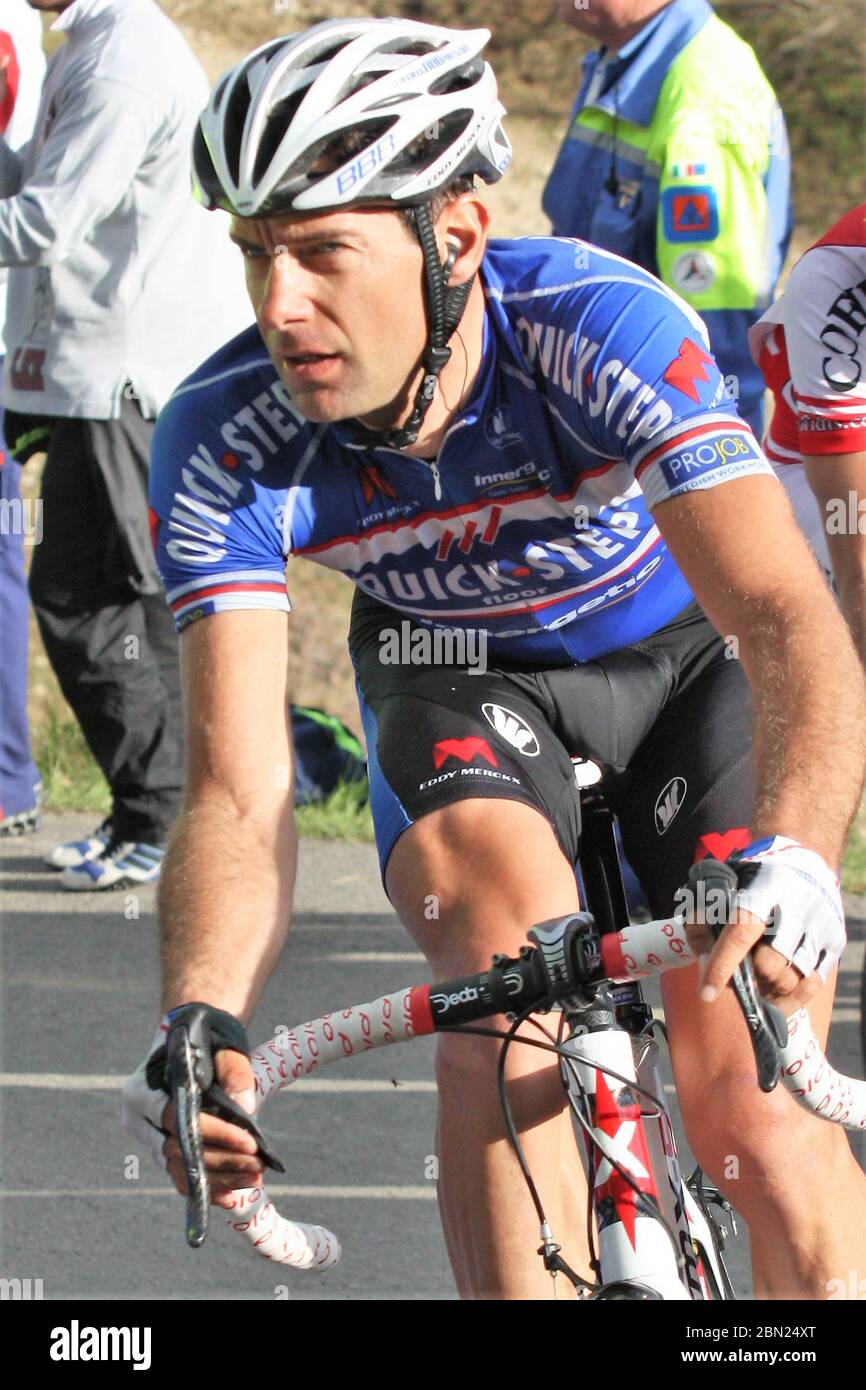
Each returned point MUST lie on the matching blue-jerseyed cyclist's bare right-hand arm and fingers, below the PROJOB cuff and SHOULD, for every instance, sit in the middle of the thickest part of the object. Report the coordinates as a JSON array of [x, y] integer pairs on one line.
[[755, 578]]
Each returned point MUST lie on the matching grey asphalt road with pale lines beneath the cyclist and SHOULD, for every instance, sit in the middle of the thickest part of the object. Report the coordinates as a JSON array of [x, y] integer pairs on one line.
[[80, 1006]]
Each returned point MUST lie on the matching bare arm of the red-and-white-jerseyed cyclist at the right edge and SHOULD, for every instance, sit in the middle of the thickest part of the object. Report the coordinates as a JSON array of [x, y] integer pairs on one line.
[[839, 483]]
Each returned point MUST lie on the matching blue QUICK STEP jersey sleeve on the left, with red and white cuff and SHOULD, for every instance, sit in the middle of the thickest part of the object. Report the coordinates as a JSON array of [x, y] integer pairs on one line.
[[216, 522]]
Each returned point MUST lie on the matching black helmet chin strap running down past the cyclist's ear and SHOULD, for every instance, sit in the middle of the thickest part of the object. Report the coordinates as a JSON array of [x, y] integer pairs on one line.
[[446, 309]]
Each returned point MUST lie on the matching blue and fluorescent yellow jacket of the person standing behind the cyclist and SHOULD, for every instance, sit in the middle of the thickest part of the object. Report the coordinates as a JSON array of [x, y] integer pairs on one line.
[[682, 165]]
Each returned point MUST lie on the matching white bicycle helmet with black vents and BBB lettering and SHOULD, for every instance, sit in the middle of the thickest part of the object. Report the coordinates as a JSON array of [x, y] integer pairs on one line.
[[277, 122]]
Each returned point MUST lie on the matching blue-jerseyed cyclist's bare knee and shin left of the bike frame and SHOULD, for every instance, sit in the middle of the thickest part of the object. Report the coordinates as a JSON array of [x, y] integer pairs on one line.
[[491, 869]]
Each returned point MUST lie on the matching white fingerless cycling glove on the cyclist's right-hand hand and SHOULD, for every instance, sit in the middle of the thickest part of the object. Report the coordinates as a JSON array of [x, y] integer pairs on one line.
[[799, 896]]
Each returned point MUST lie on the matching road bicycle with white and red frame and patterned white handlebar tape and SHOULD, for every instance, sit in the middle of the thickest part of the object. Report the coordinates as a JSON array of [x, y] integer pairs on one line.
[[653, 1234]]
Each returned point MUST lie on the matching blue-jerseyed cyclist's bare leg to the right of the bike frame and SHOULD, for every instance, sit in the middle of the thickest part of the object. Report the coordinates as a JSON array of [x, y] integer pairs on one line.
[[792, 1177]]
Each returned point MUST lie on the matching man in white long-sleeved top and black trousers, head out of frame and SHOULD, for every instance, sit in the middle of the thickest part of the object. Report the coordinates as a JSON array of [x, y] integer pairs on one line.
[[120, 286]]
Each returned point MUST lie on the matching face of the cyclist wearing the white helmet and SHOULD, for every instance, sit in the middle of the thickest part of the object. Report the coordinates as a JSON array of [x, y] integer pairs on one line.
[[340, 305]]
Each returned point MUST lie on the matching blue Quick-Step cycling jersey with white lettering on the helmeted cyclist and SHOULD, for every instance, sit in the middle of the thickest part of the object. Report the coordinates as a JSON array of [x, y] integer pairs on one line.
[[597, 401]]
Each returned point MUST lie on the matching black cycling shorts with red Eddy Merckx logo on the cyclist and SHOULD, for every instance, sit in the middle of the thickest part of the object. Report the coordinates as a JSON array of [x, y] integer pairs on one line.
[[667, 718]]
